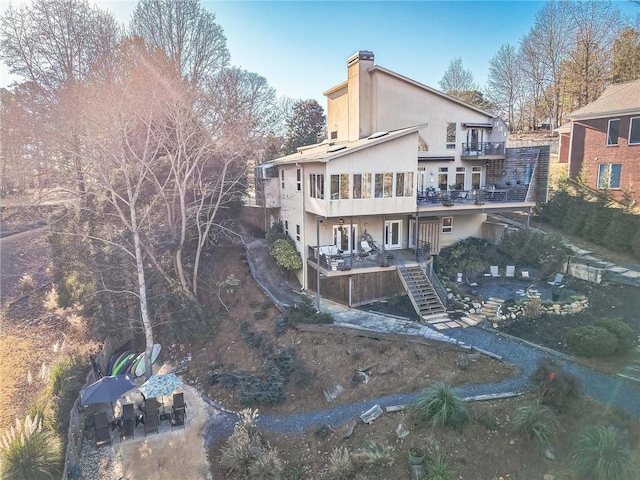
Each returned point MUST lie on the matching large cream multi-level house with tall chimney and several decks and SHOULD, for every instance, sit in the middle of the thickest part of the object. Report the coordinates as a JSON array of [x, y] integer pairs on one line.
[[405, 170]]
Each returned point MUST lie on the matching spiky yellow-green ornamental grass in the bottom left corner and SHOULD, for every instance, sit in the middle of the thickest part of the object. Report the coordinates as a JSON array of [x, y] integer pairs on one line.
[[27, 451]]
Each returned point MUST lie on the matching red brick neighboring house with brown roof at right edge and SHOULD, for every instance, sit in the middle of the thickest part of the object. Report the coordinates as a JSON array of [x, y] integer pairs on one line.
[[603, 140]]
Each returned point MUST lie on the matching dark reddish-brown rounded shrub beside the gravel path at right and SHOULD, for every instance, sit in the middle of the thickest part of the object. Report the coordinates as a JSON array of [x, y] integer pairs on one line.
[[553, 385]]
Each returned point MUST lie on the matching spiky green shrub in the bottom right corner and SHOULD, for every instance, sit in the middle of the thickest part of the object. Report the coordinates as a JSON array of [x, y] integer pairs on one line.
[[601, 454]]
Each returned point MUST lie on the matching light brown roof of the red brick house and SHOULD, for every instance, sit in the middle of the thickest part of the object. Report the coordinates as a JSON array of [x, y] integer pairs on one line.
[[619, 99]]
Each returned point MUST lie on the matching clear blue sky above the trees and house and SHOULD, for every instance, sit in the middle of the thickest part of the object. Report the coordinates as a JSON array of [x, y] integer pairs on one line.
[[301, 47]]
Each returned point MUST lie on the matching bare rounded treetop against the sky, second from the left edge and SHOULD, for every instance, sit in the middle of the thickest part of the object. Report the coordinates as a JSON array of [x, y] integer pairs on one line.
[[186, 32]]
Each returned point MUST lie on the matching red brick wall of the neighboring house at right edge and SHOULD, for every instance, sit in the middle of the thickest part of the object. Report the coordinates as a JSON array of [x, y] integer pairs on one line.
[[589, 148]]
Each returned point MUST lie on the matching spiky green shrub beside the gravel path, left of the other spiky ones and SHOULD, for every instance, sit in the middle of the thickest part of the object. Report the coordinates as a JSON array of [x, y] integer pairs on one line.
[[439, 405]]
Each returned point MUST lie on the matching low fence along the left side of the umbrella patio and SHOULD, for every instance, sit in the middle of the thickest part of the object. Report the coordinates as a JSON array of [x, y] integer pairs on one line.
[[76, 418]]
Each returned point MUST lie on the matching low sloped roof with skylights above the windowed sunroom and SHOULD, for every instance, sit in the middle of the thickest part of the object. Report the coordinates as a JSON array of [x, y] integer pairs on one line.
[[326, 151]]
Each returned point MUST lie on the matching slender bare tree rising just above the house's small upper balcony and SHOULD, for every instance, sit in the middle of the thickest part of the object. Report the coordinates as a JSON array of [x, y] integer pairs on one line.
[[504, 83]]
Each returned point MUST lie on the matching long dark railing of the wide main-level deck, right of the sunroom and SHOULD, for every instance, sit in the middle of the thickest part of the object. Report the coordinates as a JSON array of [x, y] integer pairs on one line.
[[471, 197]]
